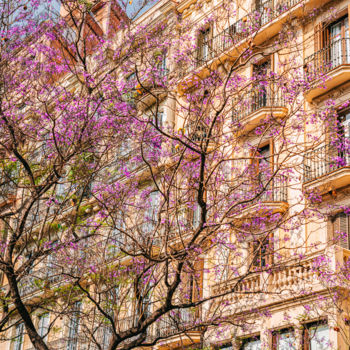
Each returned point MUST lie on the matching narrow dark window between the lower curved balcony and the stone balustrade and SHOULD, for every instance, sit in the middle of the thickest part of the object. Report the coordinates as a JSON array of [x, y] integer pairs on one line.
[[261, 252]]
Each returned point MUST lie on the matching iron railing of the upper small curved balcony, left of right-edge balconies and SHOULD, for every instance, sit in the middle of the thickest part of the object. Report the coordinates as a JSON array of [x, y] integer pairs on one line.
[[264, 97]]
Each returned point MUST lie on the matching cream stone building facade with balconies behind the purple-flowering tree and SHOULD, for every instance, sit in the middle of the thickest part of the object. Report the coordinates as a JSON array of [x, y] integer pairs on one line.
[[260, 91]]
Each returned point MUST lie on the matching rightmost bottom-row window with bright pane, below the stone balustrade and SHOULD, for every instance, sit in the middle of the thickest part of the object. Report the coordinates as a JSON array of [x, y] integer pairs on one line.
[[316, 336]]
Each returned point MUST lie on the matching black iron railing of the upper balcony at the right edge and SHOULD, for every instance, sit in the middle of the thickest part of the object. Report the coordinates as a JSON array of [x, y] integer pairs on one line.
[[333, 55]]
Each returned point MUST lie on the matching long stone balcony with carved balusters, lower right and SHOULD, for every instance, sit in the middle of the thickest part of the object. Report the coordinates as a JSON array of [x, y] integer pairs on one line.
[[283, 281]]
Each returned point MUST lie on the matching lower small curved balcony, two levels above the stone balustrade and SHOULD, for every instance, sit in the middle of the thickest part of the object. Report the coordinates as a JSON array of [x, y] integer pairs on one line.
[[268, 196]]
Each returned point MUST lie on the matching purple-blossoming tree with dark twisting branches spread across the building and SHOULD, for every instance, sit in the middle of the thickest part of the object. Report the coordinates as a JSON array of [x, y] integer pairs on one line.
[[150, 185]]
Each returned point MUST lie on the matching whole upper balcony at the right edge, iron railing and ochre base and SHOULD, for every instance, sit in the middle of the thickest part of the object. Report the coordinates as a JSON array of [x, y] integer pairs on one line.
[[328, 68]]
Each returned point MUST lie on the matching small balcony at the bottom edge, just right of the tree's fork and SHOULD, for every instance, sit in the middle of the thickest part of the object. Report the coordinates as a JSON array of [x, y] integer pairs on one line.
[[178, 329]]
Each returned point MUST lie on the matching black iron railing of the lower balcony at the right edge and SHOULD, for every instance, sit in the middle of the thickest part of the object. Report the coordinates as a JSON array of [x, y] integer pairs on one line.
[[324, 160]]
